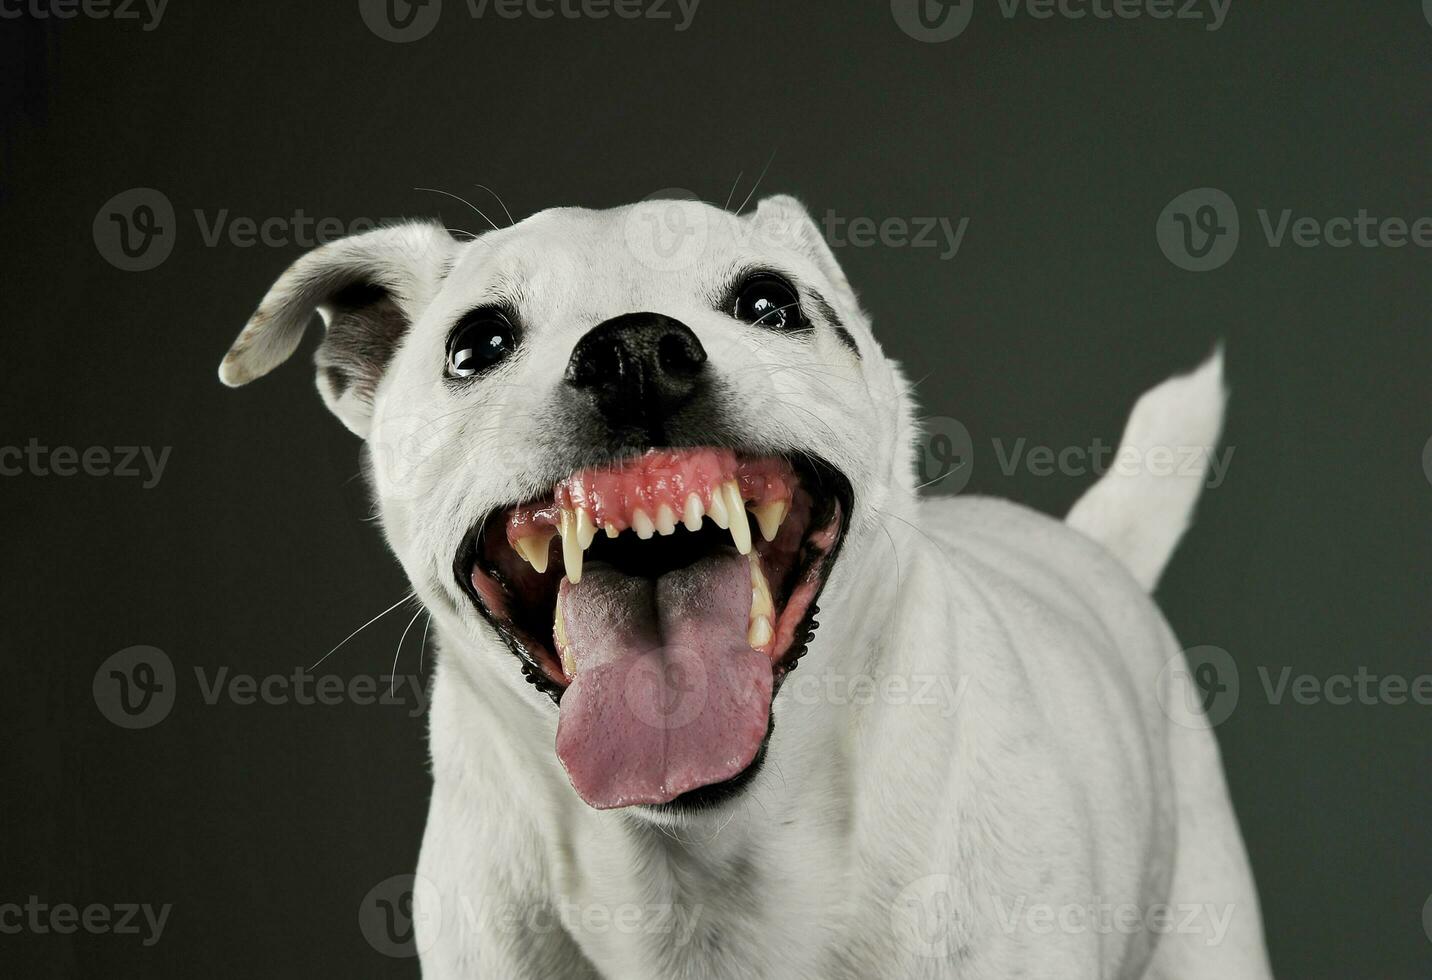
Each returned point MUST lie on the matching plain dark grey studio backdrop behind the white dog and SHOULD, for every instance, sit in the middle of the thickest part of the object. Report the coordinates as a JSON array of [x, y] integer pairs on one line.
[[266, 826]]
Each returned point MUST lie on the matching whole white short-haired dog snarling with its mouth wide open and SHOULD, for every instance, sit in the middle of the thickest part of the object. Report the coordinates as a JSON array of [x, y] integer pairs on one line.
[[622, 456]]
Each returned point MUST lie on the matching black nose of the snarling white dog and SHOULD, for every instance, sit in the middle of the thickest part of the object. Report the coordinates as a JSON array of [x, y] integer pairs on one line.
[[639, 369]]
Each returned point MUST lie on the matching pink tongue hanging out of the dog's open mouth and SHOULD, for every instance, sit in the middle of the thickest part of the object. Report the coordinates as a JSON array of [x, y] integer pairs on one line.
[[668, 696]]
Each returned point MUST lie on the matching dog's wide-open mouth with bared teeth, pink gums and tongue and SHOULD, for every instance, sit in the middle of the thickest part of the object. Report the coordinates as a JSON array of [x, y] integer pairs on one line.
[[661, 602]]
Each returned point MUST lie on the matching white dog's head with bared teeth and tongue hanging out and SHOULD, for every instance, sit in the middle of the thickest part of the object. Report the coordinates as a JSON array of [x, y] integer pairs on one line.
[[634, 445]]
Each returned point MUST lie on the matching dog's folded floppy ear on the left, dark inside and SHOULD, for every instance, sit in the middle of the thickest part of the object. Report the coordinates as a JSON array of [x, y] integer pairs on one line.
[[369, 290]]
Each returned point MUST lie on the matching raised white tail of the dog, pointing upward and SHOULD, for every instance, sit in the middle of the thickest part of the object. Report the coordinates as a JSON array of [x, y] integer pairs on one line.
[[1142, 506]]
